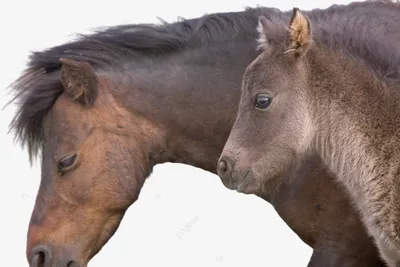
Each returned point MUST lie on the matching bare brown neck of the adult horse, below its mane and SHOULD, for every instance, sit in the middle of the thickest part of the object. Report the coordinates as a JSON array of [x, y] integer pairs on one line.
[[196, 113]]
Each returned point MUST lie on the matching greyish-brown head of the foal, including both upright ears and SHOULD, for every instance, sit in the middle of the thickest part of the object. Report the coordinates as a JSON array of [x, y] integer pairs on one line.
[[273, 126]]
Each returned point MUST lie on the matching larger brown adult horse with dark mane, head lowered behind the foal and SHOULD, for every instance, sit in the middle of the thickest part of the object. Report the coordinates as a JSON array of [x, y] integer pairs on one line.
[[127, 98]]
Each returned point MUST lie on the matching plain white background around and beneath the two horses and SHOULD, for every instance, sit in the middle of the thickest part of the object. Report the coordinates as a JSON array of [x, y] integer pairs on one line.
[[184, 216]]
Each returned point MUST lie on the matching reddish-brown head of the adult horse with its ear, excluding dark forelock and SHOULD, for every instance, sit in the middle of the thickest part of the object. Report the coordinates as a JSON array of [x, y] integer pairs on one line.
[[106, 139]]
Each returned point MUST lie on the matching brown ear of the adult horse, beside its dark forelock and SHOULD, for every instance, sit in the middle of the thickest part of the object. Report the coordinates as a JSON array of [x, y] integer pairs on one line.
[[79, 81]]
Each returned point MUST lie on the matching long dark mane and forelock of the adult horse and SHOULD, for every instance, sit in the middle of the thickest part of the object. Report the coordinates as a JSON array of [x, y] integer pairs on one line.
[[39, 86]]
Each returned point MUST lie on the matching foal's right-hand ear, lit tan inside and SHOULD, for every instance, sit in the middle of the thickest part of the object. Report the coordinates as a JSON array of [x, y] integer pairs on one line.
[[299, 33]]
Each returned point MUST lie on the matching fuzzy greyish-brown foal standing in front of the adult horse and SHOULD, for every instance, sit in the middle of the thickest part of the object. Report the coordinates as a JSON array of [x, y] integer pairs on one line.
[[307, 95]]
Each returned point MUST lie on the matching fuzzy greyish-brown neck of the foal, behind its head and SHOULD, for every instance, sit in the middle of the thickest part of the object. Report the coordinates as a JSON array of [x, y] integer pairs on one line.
[[357, 136]]
